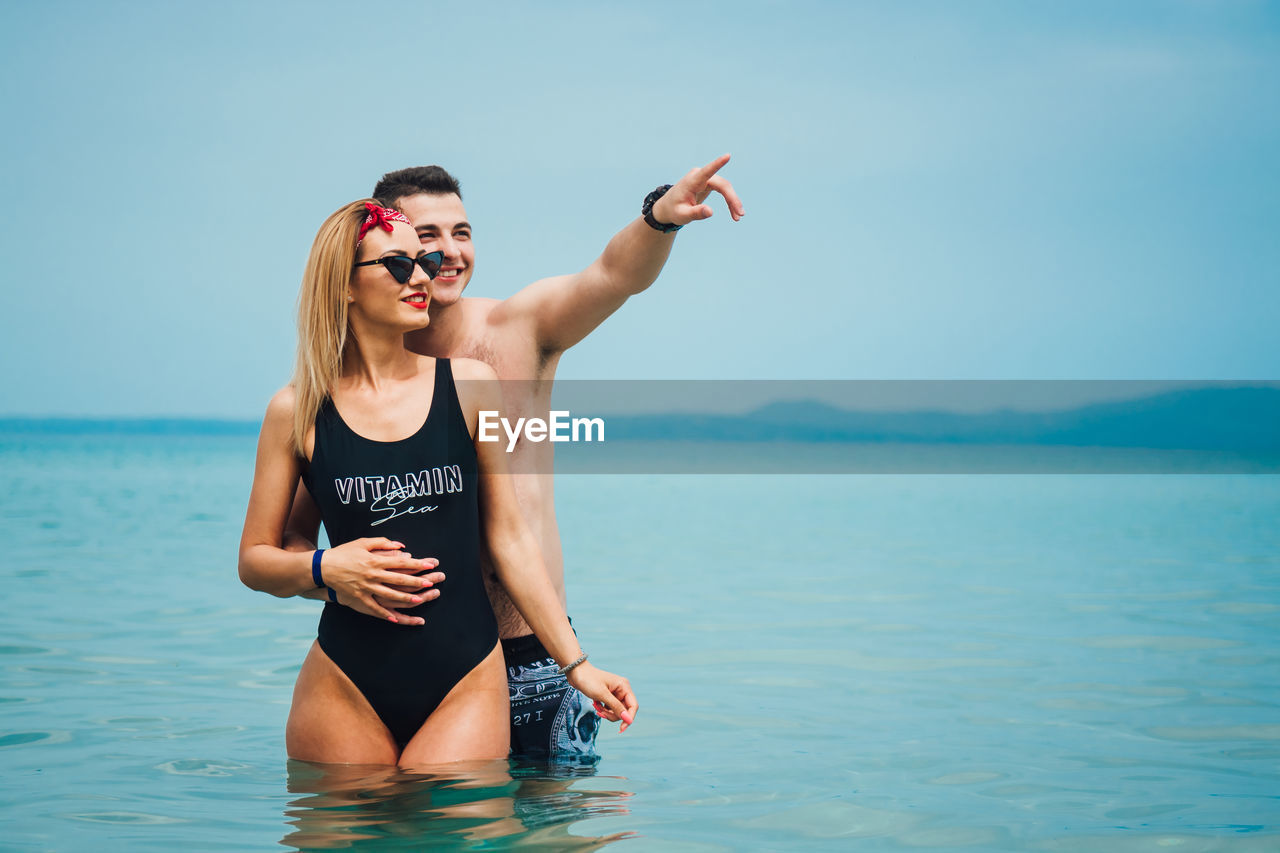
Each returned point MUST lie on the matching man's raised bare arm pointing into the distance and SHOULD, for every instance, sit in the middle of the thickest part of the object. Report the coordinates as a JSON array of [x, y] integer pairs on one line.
[[565, 309]]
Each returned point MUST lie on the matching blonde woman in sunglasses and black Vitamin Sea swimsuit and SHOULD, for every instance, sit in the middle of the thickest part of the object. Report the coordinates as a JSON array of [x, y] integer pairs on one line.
[[385, 440]]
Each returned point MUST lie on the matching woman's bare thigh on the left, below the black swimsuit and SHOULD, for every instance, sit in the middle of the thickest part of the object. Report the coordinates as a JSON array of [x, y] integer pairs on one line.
[[332, 722]]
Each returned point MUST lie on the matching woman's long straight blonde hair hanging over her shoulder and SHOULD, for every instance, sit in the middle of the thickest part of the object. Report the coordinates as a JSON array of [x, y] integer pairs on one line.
[[323, 325]]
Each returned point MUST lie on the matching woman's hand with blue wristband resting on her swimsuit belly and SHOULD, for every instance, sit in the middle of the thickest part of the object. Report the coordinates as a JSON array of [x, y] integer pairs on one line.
[[376, 577]]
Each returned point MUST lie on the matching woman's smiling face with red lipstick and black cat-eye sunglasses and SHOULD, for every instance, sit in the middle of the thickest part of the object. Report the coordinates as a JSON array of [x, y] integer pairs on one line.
[[376, 297]]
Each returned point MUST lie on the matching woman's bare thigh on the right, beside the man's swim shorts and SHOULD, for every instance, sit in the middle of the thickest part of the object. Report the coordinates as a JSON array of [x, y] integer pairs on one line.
[[473, 723]]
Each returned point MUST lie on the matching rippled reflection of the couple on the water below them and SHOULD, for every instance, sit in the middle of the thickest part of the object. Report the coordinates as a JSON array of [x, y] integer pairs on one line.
[[364, 808]]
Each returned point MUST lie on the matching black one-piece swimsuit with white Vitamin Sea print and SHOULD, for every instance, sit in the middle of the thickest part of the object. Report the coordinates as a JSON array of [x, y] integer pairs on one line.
[[422, 492]]
